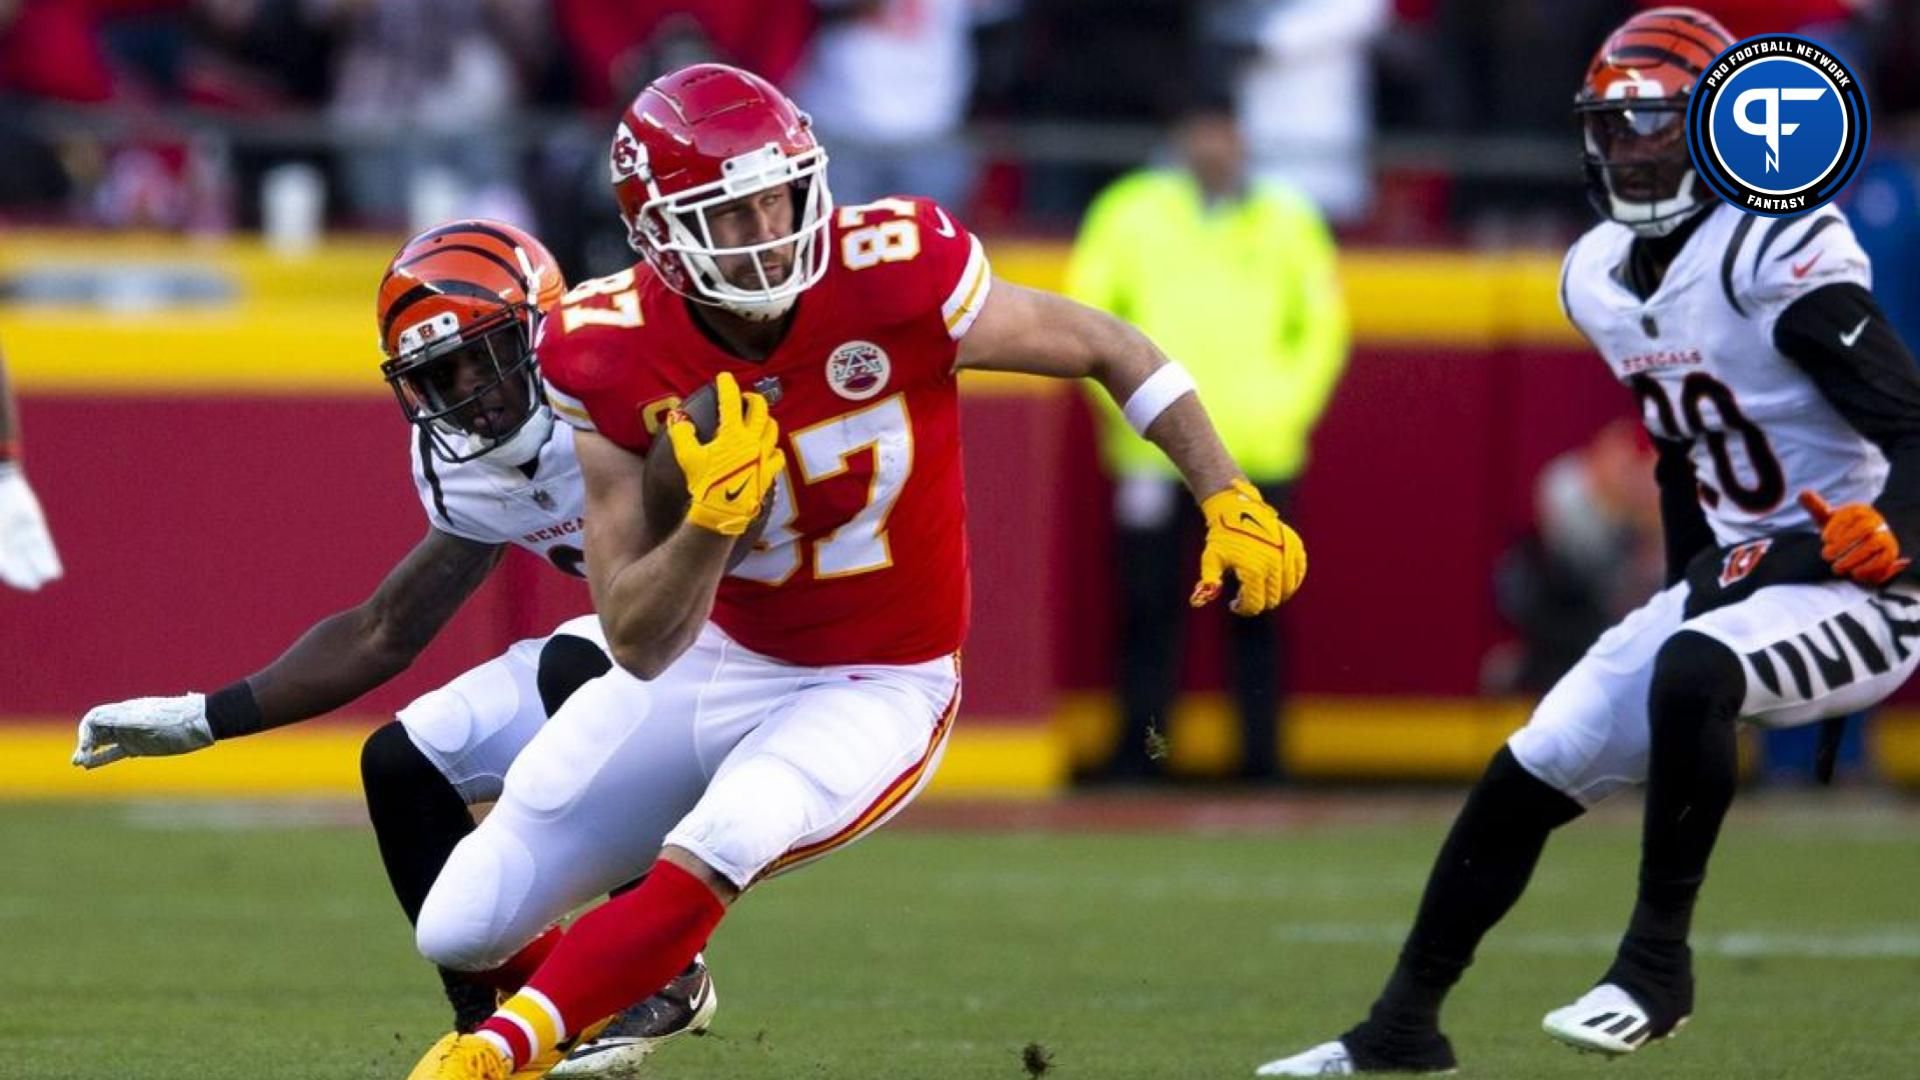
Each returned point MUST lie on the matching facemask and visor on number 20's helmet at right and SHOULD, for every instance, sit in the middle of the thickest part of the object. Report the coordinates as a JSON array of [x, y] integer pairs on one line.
[[1637, 162]]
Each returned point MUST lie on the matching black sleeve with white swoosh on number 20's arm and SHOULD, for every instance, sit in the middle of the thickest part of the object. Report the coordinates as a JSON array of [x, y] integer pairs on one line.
[[1846, 345]]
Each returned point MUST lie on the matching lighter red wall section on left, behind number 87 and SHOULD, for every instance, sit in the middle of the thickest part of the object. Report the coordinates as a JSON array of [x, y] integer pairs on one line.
[[203, 535]]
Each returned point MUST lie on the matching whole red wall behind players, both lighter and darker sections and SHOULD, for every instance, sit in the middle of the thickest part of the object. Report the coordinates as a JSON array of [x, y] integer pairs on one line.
[[203, 533]]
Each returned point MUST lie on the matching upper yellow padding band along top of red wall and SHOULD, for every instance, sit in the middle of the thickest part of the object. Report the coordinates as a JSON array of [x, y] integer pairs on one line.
[[308, 324]]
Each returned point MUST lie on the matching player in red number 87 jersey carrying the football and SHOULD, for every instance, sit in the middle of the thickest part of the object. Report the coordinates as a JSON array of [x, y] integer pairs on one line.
[[765, 716]]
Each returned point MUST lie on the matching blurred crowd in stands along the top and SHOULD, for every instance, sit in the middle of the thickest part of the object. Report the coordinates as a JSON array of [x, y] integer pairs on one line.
[[220, 114]]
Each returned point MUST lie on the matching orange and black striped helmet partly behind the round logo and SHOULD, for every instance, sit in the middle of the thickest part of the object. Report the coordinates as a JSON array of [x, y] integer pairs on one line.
[[1633, 114]]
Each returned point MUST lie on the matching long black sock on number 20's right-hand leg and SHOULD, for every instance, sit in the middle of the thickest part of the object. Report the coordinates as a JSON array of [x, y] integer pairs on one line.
[[1696, 697]]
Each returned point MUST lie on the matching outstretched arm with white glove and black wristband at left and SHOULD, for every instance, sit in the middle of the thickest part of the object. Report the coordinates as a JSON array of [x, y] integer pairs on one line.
[[333, 664]]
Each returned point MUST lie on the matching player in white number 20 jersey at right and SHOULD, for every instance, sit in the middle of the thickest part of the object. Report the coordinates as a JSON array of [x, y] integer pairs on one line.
[[1787, 414]]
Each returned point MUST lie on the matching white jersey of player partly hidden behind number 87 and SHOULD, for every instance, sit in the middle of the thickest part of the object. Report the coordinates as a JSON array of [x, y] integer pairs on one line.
[[492, 503]]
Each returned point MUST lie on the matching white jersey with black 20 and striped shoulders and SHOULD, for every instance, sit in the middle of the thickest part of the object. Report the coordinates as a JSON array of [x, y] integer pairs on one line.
[[1702, 364]]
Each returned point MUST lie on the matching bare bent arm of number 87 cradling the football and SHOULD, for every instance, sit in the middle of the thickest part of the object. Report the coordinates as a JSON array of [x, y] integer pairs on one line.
[[652, 587]]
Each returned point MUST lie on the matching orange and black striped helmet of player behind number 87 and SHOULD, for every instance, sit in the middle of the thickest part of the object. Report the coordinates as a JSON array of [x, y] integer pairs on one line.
[[460, 308]]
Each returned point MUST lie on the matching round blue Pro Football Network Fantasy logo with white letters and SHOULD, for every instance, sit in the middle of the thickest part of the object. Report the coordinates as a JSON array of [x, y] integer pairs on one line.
[[1777, 126]]
